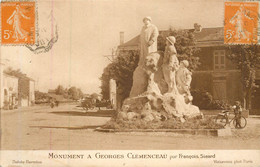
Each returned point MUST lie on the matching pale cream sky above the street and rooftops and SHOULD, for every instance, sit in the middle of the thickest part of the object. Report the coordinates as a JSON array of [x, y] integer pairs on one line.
[[89, 29]]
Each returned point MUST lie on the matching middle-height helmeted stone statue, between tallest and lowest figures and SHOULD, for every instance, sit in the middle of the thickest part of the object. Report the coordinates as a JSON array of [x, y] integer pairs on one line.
[[170, 64]]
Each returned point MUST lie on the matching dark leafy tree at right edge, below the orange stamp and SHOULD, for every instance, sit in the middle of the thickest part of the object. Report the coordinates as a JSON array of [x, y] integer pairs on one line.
[[247, 61]]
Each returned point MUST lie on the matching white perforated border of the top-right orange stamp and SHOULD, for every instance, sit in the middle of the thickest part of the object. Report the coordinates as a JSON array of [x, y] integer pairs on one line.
[[258, 23]]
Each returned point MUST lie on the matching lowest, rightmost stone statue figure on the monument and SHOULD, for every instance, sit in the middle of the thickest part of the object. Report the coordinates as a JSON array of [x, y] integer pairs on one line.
[[183, 80]]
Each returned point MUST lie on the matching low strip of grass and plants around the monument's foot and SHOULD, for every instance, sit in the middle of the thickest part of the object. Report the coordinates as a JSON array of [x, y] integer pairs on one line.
[[206, 123]]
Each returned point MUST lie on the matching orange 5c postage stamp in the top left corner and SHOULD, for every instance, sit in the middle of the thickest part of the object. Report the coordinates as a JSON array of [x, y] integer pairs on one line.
[[18, 22]]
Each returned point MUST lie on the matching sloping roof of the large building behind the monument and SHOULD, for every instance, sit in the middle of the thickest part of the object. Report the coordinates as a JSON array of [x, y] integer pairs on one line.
[[206, 37]]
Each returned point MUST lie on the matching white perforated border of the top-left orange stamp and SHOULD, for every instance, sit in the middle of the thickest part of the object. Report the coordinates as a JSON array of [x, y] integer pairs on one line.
[[35, 23]]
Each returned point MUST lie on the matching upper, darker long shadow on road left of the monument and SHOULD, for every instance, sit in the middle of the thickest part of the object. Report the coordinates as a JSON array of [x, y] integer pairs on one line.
[[101, 113]]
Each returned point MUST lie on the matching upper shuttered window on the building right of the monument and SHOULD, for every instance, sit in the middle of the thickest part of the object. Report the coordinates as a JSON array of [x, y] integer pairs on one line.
[[219, 60]]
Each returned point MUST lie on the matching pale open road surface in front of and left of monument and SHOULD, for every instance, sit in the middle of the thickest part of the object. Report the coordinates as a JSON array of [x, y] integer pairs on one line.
[[68, 127]]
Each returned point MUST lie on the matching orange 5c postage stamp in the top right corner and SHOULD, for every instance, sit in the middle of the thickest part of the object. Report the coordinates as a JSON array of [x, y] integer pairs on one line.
[[241, 22]]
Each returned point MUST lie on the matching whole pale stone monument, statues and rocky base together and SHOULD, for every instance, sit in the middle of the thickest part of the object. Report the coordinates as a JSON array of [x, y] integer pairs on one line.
[[164, 98]]
